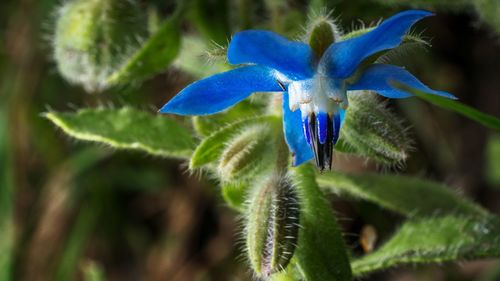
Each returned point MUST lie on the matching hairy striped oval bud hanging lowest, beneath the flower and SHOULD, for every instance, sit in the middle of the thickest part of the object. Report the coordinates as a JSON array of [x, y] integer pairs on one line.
[[272, 227]]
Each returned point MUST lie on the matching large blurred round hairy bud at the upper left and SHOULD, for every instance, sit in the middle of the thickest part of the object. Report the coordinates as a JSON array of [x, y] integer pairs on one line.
[[93, 38]]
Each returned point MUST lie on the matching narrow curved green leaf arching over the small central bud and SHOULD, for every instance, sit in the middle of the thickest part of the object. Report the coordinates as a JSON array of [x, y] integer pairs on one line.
[[211, 148]]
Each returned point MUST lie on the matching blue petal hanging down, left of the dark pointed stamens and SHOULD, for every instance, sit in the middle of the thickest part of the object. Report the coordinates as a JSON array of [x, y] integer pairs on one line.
[[294, 135]]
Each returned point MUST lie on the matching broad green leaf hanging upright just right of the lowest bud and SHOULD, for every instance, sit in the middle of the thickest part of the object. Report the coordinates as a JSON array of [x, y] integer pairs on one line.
[[321, 253]]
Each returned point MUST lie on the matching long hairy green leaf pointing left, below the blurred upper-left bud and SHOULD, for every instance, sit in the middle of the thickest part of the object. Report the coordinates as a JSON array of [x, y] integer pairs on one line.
[[127, 128]]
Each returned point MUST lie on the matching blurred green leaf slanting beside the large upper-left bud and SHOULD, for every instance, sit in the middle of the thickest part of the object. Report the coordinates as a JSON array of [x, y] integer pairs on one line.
[[153, 57]]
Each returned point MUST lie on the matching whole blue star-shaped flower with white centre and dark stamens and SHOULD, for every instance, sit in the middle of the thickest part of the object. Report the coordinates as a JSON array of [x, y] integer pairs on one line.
[[314, 89]]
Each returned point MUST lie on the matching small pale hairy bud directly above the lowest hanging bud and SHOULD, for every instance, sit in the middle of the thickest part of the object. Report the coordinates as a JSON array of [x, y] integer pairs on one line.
[[247, 153]]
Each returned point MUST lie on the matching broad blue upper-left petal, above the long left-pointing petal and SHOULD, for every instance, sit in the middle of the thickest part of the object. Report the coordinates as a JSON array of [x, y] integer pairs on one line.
[[270, 49]]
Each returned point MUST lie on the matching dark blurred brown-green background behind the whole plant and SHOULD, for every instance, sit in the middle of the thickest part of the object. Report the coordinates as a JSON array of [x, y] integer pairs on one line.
[[79, 211]]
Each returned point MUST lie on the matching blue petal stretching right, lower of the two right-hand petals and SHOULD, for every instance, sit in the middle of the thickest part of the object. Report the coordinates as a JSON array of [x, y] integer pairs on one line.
[[379, 78]]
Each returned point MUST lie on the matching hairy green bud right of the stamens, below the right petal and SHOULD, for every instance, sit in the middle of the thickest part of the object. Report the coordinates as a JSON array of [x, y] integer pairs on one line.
[[374, 131]]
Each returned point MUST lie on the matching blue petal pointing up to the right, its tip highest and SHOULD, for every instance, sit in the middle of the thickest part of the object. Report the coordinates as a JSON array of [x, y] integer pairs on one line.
[[341, 59]]
